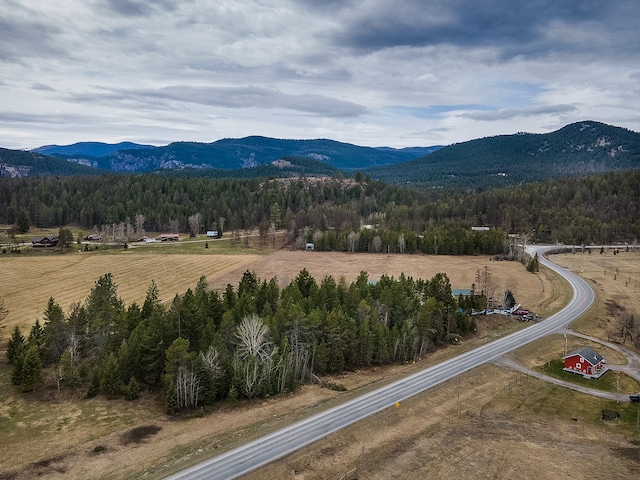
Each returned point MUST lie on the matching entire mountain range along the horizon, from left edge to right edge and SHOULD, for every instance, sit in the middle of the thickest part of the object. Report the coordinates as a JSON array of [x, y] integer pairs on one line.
[[580, 148]]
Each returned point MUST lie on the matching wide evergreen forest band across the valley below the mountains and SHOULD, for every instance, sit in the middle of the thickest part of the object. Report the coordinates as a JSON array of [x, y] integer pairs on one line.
[[347, 215]]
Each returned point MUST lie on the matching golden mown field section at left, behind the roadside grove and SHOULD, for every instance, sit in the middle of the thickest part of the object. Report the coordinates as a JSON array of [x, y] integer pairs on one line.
[[27, 282]]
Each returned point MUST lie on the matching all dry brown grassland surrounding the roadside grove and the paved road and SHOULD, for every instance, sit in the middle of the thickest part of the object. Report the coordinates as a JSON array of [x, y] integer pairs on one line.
[[489, 423]]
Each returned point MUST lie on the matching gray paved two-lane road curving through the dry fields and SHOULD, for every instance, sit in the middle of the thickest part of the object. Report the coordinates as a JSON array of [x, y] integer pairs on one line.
[[262, 451]]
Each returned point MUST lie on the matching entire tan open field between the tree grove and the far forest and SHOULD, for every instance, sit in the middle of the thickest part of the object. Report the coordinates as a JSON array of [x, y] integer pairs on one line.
[[27, 282]]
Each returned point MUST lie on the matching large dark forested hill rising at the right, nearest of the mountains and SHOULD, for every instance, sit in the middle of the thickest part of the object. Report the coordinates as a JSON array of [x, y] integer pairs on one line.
[[582, 148]]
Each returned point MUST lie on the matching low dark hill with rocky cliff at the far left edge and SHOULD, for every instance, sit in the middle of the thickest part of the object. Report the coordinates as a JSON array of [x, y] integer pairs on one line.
[[18, 163]]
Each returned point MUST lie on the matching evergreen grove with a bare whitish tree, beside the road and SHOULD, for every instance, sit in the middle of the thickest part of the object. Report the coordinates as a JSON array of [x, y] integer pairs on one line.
[[255, 340]]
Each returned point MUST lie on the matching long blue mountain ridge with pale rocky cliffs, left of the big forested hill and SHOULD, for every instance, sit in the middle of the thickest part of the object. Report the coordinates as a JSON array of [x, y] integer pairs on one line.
[[248, 152]]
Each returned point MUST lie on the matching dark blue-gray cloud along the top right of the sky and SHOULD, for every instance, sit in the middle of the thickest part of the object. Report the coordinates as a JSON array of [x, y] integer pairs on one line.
[[512, 27]]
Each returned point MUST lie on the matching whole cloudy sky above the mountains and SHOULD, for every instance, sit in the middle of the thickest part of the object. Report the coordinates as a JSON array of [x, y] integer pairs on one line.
[[392, 73]]
